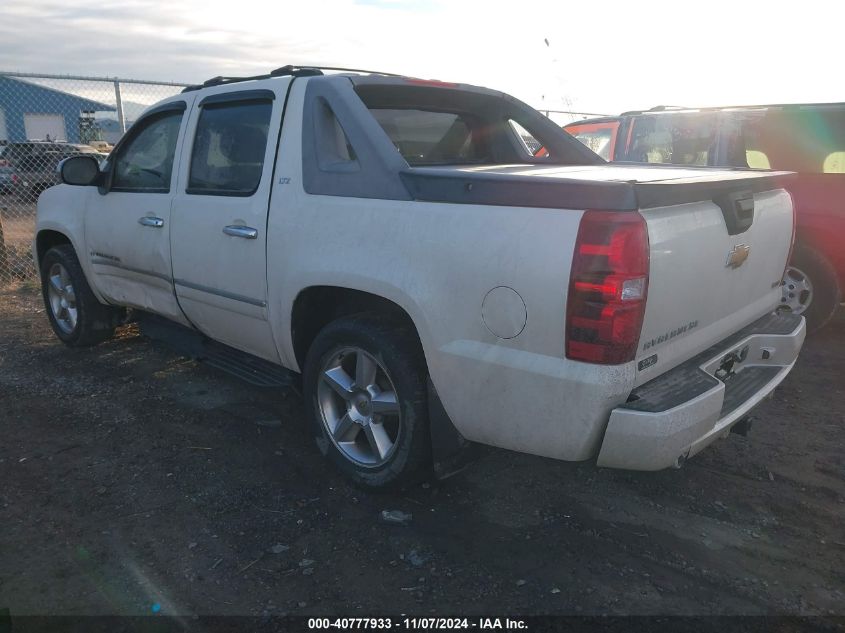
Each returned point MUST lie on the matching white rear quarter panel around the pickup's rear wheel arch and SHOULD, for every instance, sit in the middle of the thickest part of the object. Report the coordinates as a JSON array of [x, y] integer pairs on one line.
[[437, 262]]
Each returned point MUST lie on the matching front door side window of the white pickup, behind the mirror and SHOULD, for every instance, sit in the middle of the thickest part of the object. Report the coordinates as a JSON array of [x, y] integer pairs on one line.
[[145, 163]]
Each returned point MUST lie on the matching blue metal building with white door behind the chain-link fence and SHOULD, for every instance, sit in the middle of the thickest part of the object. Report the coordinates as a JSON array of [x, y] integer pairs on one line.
[[29, 111]]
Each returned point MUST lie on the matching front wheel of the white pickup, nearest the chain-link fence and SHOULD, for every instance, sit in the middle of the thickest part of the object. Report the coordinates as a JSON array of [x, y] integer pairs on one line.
[[76, 316]]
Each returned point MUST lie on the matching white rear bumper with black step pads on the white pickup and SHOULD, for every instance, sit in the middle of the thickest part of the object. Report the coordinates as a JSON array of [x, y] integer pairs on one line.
[[679, 413]]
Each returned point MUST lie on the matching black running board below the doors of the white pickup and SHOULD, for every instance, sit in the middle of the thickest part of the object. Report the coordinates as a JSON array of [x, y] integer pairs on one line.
[[188, 342]]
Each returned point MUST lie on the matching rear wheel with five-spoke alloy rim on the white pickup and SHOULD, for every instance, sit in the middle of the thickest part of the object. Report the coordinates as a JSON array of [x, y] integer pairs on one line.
[[365, 393]]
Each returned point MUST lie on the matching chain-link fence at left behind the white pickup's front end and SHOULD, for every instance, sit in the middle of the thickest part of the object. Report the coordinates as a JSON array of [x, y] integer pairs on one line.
[[44, 119]]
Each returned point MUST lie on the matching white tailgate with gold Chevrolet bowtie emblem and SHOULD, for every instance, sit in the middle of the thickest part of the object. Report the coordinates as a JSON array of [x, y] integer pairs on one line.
[[708, 278]]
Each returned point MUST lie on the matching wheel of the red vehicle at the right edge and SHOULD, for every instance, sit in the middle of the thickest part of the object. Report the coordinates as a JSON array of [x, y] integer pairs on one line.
[[811, 288]]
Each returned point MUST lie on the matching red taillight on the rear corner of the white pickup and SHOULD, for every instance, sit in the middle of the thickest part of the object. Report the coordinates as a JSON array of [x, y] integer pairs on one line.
[[607, 288]]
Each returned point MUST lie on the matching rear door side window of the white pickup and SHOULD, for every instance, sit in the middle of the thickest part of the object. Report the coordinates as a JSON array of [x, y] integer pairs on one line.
[[229, 147]]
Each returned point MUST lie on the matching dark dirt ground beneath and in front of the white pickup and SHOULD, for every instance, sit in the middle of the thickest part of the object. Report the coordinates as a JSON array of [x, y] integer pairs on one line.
[[134, 481]]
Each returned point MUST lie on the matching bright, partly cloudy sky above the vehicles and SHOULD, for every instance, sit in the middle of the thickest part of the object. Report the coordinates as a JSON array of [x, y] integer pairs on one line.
[[599, 57]]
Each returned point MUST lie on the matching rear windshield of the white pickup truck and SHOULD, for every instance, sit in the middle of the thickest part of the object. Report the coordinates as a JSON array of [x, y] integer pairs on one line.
[[441, 126]]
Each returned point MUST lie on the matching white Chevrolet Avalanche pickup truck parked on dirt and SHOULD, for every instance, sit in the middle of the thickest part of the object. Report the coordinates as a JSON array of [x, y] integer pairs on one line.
[[434, 278]]
